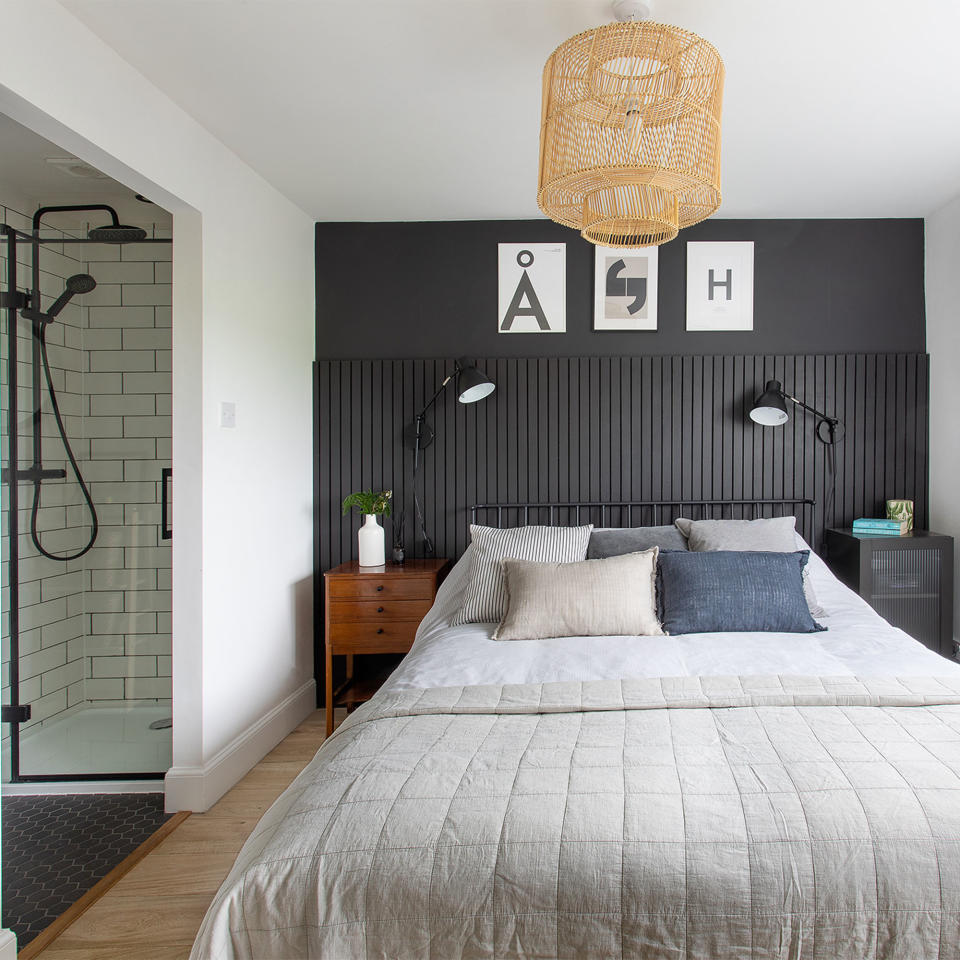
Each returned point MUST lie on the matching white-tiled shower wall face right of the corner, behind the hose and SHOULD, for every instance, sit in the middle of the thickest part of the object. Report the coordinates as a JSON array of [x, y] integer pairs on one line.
[[127, 422]]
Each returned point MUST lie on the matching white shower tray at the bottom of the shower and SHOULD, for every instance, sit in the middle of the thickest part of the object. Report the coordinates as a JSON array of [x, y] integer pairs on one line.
[[97, 739]]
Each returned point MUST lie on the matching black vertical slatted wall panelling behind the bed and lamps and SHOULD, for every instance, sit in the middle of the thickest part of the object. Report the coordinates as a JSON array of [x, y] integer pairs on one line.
[[644, 430]]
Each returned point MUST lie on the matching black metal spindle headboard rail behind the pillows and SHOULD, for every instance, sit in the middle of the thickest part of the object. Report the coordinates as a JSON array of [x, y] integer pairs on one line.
[[705, 509]]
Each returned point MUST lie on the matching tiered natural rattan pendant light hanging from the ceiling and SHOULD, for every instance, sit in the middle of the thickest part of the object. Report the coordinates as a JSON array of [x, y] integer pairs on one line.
[[630, 133]]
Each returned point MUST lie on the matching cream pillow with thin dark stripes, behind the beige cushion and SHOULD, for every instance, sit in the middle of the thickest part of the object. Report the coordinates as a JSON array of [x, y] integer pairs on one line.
[[485, 598]]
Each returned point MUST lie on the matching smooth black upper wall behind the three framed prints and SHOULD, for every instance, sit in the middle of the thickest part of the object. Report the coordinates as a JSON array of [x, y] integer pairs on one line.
[[410, 290]]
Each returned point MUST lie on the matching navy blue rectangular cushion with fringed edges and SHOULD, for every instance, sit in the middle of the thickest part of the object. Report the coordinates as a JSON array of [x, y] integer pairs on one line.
[[733, 591]]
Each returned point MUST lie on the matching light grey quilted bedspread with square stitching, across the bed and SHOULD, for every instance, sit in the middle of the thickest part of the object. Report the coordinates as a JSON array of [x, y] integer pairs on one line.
[[716, 818]]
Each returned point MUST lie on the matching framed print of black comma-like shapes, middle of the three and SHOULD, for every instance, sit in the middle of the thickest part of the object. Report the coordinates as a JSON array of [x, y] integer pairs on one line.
[[625, 289]]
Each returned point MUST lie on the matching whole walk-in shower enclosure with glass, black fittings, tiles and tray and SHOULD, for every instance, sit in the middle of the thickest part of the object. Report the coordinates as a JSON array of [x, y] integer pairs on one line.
[[85, 409]]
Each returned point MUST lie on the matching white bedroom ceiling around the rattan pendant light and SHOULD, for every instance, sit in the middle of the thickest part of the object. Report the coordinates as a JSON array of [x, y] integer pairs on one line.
[[430, 109]]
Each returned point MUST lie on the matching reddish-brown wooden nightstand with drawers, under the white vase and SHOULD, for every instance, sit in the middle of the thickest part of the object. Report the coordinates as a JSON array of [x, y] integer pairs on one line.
[[374, 610]]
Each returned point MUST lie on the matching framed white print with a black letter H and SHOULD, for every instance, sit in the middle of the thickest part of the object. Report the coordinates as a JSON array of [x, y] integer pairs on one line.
[[720, 286]]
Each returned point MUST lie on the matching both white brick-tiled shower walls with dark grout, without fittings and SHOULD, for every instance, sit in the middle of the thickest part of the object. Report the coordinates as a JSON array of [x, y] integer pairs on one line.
[[97, 628]]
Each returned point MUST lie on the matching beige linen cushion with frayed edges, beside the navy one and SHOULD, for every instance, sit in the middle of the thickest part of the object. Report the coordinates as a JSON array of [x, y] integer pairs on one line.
[[612, 597]]
